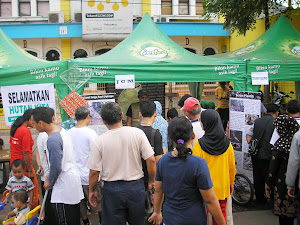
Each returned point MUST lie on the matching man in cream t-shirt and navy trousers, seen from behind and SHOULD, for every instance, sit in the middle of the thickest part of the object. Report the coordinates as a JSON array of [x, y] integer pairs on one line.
[[117, 154]]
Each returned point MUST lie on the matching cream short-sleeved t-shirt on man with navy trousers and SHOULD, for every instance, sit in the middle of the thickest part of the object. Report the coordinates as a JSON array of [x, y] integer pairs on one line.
[[118, 152]]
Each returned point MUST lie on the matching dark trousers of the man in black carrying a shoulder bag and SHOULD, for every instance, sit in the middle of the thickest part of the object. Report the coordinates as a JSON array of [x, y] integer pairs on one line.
[[260, 173]]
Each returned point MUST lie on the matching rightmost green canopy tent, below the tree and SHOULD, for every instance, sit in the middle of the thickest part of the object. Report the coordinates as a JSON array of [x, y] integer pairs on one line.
[[277, 52]]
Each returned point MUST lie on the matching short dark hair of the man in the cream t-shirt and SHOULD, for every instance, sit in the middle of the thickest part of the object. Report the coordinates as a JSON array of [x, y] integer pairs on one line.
[[111, 113]]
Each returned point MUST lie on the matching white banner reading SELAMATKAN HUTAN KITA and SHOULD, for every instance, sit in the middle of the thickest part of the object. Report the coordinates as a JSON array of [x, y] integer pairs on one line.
[[17, 99]]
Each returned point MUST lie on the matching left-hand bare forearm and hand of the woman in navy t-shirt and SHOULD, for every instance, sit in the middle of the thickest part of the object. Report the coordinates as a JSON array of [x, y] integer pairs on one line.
[[156, 217]]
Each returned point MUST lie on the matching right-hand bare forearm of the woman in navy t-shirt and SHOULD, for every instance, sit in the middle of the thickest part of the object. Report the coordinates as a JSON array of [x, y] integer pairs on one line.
[[213, 205]]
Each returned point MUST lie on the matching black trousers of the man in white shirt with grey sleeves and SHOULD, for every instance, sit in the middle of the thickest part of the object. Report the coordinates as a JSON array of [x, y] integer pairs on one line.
[[67, 214]]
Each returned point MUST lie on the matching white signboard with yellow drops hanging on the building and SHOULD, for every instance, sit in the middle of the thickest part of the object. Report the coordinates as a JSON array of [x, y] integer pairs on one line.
[[106, 17]]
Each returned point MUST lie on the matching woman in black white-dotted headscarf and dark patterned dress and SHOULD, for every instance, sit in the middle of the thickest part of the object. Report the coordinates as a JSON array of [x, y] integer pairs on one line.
[[284, 206]]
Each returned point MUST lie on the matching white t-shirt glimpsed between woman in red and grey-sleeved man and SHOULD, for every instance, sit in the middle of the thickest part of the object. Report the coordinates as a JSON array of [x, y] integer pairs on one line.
[[44, 154]]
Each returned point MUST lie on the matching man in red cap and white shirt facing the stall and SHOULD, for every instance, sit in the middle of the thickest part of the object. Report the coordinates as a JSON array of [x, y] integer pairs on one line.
[[192, 110]]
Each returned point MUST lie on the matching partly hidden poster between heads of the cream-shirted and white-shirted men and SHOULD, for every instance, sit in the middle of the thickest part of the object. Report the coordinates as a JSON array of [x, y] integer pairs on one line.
[[95, 102]]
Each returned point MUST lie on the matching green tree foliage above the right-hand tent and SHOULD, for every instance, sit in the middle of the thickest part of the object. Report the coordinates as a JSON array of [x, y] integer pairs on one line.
[[241, 15]]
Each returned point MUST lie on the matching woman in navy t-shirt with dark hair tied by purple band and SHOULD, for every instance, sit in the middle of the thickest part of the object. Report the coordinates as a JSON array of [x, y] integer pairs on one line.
[[185, 182]]
